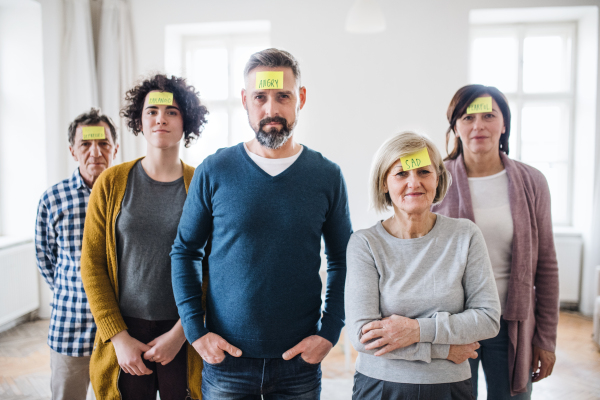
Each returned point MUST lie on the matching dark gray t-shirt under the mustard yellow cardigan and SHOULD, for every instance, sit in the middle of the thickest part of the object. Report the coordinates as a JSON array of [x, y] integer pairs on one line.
[[146, 228]]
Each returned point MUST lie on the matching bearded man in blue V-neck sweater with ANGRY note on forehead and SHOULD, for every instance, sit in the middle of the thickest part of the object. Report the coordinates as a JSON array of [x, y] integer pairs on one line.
[[265, 205]]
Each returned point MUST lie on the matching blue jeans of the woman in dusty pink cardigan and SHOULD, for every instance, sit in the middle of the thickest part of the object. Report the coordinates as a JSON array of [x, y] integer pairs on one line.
[[493, 355]]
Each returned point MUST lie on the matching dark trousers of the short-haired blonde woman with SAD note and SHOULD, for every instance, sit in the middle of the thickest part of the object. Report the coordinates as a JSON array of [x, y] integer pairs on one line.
[[367, 388]]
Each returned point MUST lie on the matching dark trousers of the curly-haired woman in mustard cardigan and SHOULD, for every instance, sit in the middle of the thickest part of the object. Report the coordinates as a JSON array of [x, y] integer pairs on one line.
[[170, 380]]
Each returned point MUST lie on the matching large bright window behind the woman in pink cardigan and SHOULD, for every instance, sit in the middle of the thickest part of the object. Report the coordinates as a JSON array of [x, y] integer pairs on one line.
[[533, 65]]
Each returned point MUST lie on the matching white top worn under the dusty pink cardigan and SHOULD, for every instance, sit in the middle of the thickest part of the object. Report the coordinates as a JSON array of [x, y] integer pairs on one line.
[[491, 207]]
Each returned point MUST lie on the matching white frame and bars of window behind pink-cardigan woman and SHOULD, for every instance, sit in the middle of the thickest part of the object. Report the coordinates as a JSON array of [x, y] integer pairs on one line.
[[519, 98]]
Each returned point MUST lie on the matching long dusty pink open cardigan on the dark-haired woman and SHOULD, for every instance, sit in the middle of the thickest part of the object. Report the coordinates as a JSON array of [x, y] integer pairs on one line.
[[532, 302]]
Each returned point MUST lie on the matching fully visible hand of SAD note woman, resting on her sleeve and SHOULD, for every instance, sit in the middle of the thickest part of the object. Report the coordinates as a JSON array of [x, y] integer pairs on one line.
[[390, 333]]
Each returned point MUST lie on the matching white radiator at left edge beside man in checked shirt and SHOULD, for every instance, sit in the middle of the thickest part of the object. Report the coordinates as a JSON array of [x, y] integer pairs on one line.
[[19, 285]]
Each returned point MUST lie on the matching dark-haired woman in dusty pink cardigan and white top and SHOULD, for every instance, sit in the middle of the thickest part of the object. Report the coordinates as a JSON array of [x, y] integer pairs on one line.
[[510, 202]]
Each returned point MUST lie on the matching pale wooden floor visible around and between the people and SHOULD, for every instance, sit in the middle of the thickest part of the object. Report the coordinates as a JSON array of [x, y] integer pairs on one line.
[[25, 365]]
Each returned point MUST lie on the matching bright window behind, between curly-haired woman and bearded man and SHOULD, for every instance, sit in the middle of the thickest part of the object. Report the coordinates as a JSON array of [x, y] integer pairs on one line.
[[214, 64]]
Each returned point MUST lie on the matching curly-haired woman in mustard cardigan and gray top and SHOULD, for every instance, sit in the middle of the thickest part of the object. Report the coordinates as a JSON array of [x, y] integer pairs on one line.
[[131, 223]]
